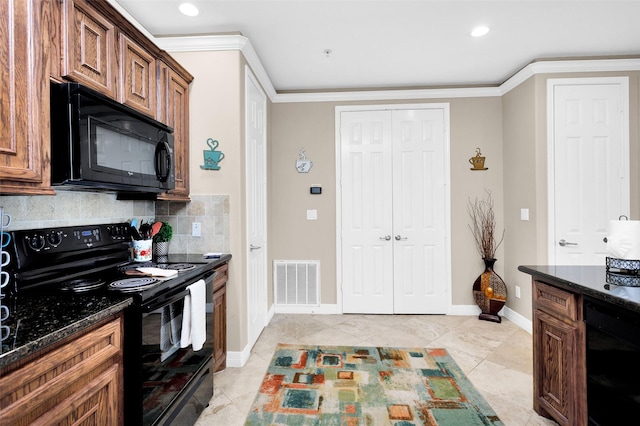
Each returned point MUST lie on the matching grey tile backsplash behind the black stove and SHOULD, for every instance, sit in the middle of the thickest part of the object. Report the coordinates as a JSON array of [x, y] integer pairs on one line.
[[69, 208]]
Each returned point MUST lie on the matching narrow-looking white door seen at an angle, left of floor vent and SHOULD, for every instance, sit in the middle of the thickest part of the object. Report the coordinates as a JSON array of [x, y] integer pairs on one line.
[[256, 162]]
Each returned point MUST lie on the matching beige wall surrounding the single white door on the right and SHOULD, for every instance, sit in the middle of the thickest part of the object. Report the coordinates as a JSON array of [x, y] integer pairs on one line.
[[525, 175]]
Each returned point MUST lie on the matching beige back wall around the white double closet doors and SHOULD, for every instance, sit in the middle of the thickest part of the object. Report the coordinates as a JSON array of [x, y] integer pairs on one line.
[[475, 122]]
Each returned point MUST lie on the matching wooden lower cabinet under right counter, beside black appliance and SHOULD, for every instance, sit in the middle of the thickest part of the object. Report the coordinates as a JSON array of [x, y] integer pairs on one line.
[[559, 358]]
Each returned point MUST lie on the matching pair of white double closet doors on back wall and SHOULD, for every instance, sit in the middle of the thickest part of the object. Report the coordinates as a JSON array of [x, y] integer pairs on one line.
[[393, 251]]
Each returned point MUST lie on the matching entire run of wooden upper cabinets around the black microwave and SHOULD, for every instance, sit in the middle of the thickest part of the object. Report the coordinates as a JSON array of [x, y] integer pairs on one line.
[[88, 42]]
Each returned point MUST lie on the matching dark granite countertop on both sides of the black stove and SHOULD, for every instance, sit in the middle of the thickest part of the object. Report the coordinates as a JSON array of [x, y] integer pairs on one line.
[[37, 321]]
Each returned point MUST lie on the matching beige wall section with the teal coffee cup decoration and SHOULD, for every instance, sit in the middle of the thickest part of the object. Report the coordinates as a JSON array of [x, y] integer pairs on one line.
[[216, 110]]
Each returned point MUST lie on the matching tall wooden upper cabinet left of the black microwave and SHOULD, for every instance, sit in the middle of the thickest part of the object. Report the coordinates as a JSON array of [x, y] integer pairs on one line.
[[24, 105]]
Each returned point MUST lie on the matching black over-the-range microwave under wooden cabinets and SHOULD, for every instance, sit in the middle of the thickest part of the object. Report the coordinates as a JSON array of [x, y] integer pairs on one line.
[[100, 144]]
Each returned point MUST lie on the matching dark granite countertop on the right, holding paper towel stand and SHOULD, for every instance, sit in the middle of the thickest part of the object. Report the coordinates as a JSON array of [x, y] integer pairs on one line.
[[592, 281]]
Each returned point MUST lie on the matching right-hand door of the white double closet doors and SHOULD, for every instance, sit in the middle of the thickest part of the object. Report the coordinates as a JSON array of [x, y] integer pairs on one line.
[[419, 199]]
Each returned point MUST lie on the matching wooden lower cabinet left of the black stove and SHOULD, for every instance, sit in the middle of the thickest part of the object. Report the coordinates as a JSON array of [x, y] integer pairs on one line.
[[79, 382]]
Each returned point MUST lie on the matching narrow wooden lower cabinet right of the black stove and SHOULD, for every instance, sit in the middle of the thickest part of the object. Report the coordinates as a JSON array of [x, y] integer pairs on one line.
[[220, 317]]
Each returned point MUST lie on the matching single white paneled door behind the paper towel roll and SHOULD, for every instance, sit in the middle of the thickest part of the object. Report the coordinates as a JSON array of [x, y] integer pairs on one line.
[[589, 164]]
